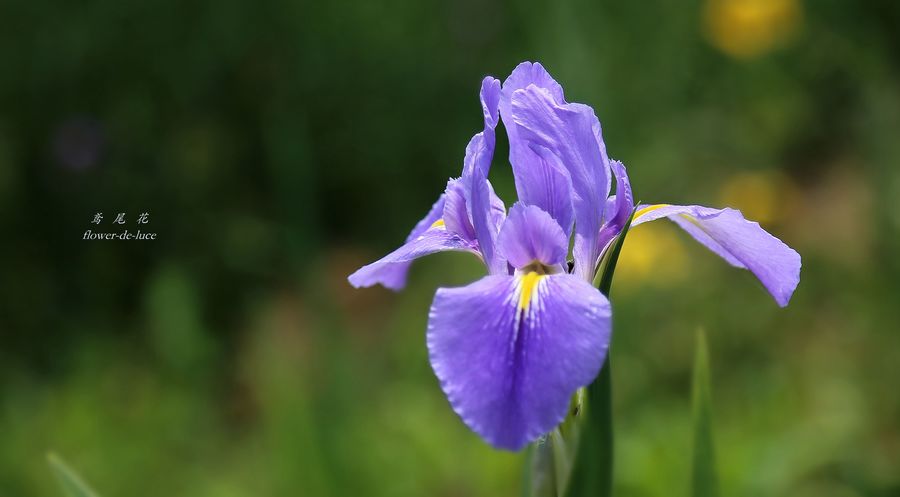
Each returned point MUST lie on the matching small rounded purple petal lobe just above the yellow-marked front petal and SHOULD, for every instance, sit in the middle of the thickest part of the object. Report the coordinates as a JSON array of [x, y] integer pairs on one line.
[[531, 235]]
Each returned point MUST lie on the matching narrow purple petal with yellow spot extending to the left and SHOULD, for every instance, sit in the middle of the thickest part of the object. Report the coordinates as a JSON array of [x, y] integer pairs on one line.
[[390, 271]]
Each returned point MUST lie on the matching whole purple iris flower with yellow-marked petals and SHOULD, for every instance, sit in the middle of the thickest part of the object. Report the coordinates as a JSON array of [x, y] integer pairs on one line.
[[512, 348]]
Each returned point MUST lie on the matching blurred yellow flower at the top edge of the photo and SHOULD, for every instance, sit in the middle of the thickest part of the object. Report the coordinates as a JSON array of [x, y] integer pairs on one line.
[[748, 28]]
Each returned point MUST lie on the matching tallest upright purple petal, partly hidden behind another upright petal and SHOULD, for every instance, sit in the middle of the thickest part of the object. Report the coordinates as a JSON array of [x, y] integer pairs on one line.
[[540, 180]]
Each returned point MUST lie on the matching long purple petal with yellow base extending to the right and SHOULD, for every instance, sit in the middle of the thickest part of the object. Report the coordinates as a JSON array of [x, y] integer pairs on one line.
[[740, 242]]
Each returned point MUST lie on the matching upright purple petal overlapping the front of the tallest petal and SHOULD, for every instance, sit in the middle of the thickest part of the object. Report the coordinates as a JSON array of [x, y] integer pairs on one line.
[[572, 133]]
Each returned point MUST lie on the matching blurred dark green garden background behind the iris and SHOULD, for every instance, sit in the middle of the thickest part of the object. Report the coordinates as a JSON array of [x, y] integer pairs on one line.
[[277, 146]]
